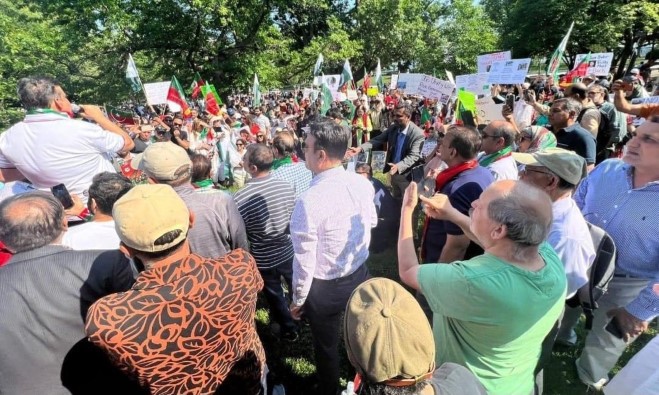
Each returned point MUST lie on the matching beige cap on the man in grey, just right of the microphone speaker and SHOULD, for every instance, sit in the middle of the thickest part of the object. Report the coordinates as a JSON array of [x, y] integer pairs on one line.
[[164, 161]]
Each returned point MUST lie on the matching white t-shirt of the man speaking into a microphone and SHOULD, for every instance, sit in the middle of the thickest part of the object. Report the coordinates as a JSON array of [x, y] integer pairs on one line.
[[50, 148]]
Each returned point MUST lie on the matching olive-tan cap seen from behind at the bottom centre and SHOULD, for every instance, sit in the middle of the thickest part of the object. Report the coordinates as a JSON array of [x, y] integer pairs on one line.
[[387, 335]]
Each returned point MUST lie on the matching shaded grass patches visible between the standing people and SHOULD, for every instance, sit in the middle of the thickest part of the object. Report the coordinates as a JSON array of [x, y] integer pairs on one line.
[[293, 363]]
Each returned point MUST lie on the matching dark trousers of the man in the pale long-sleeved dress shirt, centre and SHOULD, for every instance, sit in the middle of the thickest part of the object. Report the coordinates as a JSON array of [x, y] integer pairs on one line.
[[323, 308]]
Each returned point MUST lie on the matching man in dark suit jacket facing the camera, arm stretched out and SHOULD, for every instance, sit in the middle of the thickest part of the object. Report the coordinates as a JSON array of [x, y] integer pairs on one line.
[[404, 140]]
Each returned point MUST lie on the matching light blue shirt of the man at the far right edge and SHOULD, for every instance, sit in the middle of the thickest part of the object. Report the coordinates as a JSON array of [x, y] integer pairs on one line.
[[607, 198]]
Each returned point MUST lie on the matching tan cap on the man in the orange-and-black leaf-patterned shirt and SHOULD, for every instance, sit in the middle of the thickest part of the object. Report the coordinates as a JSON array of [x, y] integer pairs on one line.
[[147, 212]]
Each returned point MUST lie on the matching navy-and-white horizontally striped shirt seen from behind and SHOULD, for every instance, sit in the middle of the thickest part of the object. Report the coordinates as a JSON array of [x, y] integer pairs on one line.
[[266, 205]]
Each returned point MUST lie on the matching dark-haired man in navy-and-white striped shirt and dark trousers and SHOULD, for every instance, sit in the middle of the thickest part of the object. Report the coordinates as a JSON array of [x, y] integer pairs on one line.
[[266, 204]]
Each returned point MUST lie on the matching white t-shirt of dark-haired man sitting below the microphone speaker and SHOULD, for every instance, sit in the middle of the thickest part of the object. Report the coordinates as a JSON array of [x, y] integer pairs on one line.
[[92, 236]]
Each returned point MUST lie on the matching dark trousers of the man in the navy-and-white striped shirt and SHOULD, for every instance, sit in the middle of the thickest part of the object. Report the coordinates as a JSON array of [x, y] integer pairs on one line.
[[274, 293]]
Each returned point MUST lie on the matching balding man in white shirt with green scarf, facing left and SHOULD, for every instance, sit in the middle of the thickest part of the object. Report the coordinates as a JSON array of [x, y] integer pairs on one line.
[[497, 146]]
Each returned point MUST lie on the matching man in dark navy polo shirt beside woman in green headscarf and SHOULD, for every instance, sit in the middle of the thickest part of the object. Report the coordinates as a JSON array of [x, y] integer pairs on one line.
[[569, 134]]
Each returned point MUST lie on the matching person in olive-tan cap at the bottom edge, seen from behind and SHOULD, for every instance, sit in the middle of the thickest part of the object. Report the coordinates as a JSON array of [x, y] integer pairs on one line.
[[391, 345]]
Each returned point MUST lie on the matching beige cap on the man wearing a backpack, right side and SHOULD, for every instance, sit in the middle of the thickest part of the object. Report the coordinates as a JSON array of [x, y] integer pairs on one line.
[[566, 164]]
